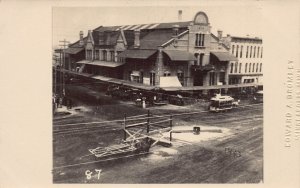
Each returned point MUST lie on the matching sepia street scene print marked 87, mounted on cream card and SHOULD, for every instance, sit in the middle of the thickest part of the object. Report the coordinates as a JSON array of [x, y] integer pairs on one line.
[[154, 95]]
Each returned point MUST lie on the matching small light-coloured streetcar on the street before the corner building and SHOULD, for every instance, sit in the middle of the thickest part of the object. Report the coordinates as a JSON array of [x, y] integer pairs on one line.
[[222, 103]]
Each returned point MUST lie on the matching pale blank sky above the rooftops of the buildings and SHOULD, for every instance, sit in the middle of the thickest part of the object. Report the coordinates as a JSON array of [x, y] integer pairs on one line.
[[236, 20]]
